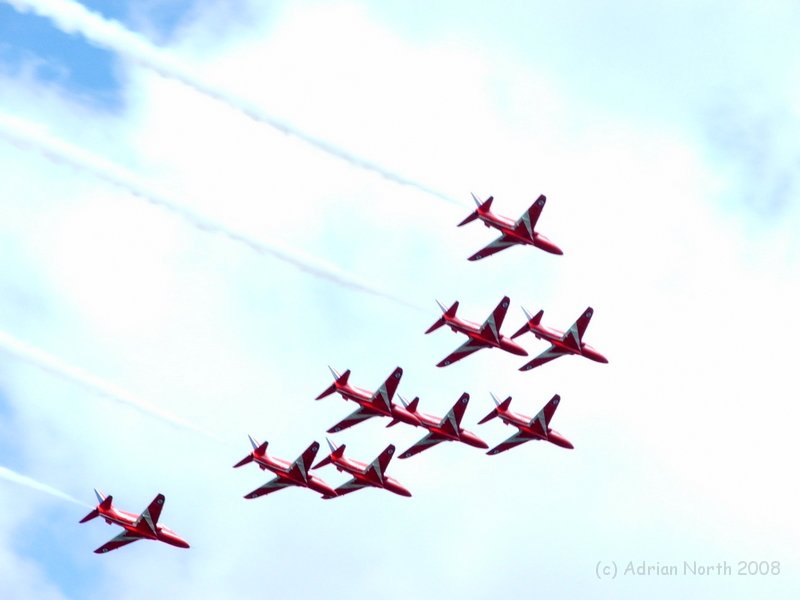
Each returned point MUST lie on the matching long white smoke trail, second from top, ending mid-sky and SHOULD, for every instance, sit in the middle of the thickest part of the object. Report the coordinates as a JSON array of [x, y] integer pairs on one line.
[[31, 136]]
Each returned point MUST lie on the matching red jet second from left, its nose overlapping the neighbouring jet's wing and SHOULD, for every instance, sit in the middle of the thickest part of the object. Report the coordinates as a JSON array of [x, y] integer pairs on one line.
[[288, 474]]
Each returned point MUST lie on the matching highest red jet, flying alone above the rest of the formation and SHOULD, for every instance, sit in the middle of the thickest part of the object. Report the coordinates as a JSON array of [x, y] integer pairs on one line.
[[522, 231]]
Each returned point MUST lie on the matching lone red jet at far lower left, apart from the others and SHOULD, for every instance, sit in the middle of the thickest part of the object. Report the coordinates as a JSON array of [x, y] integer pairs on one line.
[[135, 527]]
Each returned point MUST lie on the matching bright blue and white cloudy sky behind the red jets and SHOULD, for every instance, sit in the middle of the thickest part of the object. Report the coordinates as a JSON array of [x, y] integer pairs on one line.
[[665, 140]]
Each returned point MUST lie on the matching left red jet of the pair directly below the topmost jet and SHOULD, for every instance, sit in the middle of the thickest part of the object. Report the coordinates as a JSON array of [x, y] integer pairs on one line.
[[479, 336]]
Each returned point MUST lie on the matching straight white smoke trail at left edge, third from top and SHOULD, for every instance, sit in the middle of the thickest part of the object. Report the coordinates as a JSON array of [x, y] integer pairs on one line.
[[55, 366]]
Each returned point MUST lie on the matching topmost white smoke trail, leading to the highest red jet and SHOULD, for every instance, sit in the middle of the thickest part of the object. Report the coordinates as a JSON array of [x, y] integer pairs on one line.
[[72, 17]]
